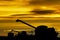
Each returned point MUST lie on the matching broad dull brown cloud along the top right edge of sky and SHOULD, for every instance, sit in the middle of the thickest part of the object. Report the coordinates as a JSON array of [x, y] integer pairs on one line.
[[34, 2]]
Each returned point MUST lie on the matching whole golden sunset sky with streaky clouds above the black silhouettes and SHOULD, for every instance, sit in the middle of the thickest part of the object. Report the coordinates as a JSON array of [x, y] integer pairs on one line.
[[10, 10]]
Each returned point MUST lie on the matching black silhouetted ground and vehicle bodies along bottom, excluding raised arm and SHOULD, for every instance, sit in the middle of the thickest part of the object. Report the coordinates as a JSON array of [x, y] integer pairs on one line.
[[41, 33]]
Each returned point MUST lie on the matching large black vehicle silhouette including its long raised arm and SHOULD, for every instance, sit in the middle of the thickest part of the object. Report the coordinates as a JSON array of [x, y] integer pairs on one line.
[[42, 32]]
